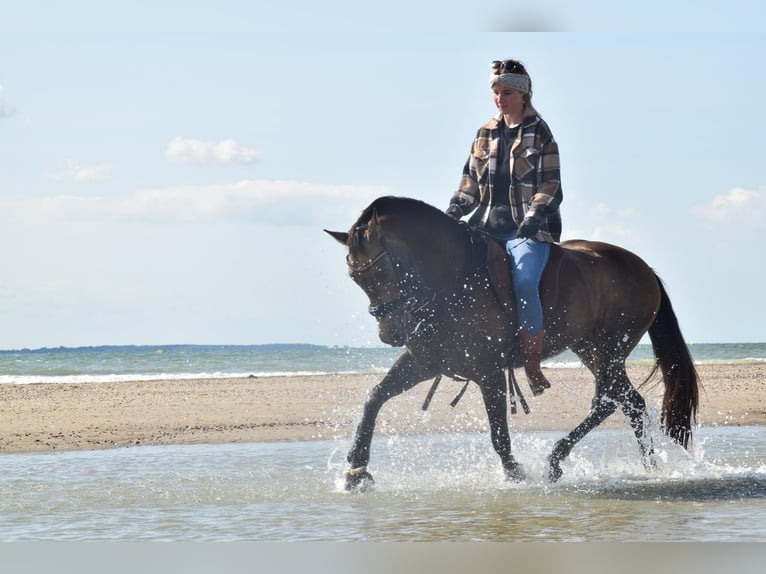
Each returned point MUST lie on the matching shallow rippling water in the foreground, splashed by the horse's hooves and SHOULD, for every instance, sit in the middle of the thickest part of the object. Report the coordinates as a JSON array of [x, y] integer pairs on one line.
[[428, 488]]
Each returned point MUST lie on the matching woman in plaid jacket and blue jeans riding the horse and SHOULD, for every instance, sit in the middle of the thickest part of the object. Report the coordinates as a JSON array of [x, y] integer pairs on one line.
[[511, 182]]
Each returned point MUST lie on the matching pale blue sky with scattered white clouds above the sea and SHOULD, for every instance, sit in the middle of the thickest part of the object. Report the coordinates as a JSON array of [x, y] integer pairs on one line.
[[167, 168]]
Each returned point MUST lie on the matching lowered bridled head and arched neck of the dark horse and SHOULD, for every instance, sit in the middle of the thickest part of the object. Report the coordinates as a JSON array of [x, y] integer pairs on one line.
[[402, 253]]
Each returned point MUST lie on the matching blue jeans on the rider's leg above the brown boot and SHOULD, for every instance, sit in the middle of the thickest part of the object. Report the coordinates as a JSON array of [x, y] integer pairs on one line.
[[528, 258]]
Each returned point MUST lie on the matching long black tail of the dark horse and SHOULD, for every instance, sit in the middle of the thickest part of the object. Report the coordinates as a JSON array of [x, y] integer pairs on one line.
[[679, 405]]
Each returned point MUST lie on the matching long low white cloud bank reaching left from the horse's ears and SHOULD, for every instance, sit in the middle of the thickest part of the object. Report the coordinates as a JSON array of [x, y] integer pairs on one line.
[[256, 201]]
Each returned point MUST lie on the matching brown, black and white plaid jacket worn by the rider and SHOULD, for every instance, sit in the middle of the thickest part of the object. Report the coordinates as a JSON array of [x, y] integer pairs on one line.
[[535, 180]]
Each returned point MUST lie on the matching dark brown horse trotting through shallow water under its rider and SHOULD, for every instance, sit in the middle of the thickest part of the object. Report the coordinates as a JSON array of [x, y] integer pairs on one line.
[[427, 280]]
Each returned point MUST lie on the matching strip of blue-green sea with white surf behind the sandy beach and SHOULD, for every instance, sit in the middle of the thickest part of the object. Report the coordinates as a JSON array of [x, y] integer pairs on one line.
[[179, 361]]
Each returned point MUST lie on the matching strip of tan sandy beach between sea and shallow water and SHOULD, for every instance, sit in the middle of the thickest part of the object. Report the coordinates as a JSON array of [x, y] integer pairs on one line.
[[46, 417]]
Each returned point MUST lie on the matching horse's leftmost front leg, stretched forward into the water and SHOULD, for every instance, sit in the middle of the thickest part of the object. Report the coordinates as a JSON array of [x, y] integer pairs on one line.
[[402, 376]]
